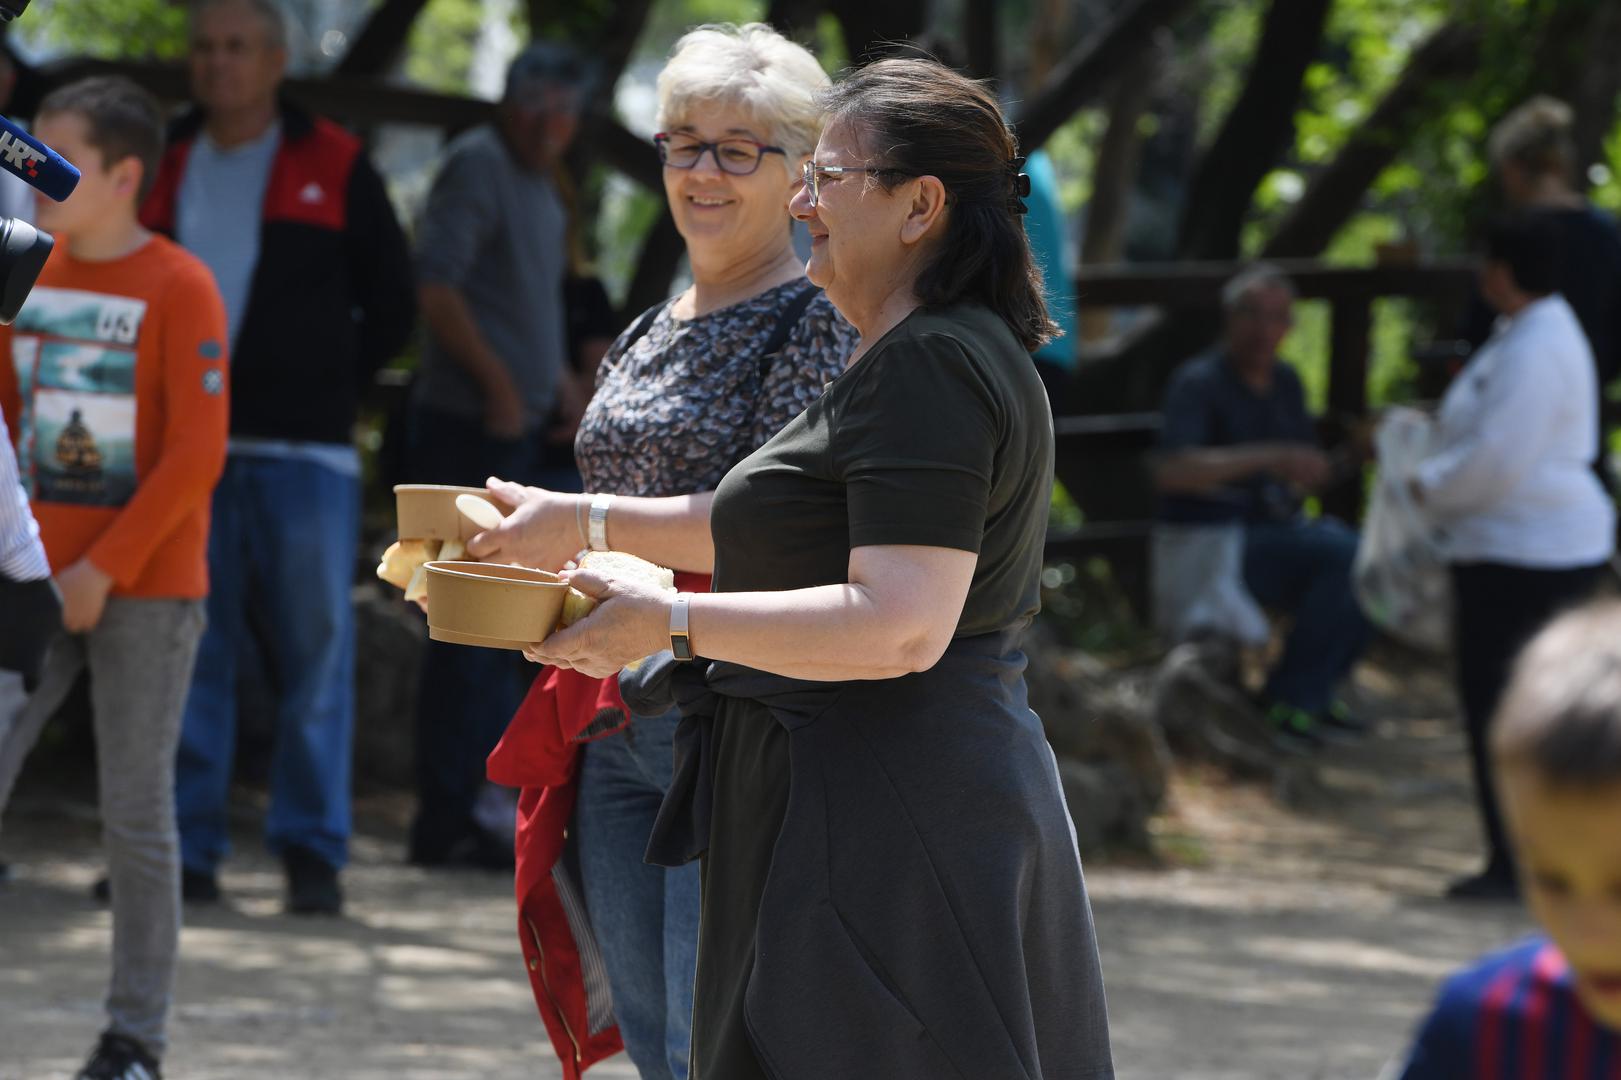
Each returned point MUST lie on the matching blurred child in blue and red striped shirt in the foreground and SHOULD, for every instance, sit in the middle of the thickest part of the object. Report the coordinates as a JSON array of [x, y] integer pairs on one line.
[[1550, 1008]]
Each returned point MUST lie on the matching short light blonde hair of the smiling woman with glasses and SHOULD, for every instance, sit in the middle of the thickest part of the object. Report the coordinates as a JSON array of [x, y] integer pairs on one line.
[[755, 67]]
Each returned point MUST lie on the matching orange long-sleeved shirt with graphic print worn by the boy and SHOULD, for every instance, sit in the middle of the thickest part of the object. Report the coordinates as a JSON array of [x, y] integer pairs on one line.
[[116, 393]]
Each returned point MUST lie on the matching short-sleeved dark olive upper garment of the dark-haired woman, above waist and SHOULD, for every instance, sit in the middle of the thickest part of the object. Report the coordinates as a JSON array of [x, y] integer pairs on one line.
[[941, 435]]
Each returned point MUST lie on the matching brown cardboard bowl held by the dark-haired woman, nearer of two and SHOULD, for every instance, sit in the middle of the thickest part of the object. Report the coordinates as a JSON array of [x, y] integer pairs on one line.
[[487, 604]]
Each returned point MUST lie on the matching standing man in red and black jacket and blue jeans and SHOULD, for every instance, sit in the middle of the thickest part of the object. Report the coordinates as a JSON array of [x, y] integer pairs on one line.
[[315, 272]]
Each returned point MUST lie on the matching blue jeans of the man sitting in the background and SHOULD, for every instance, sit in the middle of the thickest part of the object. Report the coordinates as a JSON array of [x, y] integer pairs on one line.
[[1304, 568]]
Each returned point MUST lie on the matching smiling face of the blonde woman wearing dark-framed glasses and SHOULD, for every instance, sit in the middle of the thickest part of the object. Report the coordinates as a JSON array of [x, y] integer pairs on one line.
[[722, 216]]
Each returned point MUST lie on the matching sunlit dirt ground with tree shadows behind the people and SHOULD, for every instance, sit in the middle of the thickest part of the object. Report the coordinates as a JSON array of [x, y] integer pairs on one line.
[[1286, 945]]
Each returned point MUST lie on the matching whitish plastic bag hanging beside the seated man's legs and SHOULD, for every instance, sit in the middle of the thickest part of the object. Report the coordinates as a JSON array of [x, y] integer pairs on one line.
[[1199, 585]]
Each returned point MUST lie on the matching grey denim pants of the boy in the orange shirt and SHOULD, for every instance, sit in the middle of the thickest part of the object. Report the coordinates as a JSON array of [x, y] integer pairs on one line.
[[140, 658]]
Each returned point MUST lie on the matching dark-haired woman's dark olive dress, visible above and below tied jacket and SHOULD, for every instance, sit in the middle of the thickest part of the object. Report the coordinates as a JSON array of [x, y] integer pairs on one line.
[[941, 435]]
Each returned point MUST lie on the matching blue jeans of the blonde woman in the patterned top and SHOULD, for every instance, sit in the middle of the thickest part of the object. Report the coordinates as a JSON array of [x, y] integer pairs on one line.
[[646, 919]]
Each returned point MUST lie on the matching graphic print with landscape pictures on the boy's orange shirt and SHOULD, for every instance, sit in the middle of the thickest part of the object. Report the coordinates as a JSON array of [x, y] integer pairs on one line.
[[75, 364]]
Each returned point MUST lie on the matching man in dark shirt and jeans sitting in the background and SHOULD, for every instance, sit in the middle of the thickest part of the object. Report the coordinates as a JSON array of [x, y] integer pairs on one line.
[[1238, 456]]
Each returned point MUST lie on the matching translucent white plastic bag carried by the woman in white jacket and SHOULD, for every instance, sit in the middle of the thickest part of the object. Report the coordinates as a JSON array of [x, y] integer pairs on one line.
[[1401, 575]]
